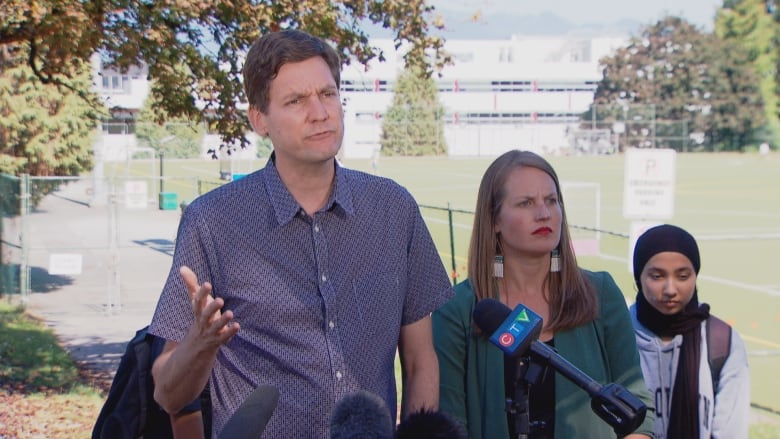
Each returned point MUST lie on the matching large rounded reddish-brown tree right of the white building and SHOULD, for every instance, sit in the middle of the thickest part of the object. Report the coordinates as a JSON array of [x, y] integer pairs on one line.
[[688, 77]]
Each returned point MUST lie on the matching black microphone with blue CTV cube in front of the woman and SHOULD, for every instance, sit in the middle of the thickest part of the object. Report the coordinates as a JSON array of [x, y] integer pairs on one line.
[[516, 331]]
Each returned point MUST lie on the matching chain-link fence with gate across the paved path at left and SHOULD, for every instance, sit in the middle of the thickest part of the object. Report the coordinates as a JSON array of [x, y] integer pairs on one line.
[[22, 196]]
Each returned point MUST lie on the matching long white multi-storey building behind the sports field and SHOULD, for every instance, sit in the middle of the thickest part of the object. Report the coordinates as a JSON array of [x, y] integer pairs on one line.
[[526, 92]]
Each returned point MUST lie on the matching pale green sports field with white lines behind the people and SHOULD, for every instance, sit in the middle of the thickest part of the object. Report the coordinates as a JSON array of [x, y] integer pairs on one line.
[[730, 202]]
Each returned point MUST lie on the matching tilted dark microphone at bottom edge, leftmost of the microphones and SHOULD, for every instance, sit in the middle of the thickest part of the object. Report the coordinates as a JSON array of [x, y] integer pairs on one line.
[[249, 421]]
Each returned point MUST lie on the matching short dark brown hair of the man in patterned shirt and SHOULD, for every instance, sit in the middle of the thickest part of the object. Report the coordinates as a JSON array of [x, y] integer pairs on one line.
[[273, 50]]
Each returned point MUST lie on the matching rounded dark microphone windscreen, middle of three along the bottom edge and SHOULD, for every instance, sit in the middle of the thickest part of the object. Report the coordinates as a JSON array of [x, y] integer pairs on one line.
[[361, 415]]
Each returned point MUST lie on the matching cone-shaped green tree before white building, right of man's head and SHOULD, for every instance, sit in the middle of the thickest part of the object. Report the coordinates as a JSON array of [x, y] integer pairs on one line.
[[414, 123]]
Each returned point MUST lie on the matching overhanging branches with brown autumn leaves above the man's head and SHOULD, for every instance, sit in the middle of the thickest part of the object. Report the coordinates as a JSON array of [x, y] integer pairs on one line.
[[209, 37]]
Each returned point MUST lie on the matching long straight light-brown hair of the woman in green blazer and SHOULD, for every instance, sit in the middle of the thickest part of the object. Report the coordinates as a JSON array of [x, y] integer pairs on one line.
[[572, 297]]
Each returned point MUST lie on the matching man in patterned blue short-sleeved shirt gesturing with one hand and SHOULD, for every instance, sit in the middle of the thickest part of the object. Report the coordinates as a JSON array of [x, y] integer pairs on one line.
[[303, 275]]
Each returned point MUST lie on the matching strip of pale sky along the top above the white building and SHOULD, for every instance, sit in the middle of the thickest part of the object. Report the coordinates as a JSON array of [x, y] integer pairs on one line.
[[699, 12]]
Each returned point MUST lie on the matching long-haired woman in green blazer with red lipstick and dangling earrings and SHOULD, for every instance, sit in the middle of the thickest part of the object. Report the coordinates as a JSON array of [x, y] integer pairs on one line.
[[521, 252]]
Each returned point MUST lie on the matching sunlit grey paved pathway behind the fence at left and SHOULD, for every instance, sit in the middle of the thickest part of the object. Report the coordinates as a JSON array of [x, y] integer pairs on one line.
[[76, 306]]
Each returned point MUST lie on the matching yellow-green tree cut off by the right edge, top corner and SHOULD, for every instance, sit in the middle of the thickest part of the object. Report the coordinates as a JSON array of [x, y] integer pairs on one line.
[[751, 24]]
